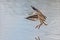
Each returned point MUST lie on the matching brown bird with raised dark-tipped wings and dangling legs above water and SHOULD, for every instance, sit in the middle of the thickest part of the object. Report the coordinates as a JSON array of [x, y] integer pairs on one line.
[[37, 16]]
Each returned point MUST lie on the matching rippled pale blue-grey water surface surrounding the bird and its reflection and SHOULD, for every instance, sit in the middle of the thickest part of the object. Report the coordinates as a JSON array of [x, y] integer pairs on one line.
[[14, 26]]
